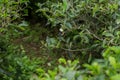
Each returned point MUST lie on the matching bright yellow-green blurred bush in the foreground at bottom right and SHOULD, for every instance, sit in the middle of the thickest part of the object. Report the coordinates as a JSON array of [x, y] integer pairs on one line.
[[101, 69]]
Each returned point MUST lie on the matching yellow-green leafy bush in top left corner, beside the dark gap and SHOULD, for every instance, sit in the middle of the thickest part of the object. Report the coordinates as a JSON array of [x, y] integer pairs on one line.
[[11, 12]]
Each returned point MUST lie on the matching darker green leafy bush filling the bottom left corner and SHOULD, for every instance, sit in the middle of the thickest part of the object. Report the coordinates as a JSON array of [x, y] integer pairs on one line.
[[15, 65]]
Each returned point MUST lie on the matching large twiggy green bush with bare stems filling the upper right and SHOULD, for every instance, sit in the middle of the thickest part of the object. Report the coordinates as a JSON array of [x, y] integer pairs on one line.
[[83, 24]]
